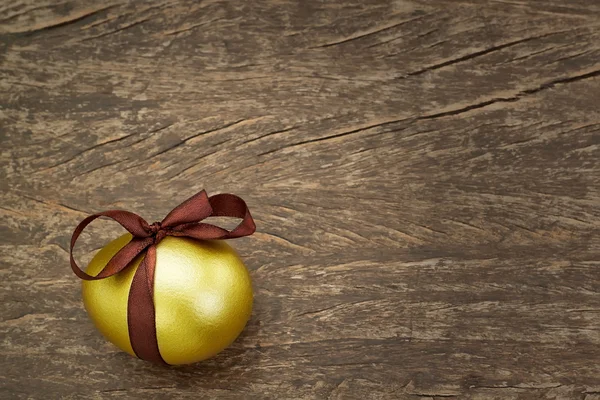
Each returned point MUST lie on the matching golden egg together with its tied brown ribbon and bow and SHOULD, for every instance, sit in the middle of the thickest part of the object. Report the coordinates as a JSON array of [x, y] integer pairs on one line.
[[216, 294]]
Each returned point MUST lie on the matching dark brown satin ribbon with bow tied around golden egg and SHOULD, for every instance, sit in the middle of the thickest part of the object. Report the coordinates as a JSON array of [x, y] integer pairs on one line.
[[183, 220]]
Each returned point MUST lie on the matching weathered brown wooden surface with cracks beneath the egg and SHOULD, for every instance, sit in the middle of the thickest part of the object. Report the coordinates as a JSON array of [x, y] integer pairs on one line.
[[424, 176]]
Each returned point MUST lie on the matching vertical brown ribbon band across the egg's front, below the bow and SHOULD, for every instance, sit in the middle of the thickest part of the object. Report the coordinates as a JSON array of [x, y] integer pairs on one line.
[[141, 314]]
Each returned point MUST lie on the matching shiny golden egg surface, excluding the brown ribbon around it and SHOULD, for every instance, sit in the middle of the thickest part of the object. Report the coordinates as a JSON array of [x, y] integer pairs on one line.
[[202, 297]]
